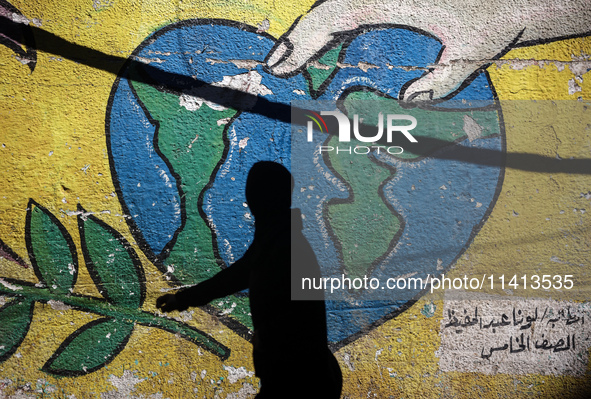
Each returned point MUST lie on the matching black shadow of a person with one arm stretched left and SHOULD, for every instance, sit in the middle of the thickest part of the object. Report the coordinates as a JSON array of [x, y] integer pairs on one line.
[[290, 351]]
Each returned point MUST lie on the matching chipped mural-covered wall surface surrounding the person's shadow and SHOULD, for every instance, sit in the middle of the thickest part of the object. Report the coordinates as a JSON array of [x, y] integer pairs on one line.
[[128, 128]]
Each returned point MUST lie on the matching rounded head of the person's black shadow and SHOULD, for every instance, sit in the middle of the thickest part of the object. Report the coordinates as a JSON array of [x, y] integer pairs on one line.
[[269, 186]]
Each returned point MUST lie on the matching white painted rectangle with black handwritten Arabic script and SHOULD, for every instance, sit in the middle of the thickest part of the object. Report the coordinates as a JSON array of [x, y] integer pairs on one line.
[[515, 336]]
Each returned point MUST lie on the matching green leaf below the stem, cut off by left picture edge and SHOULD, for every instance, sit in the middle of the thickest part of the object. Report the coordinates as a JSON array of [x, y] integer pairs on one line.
[[15, 318]]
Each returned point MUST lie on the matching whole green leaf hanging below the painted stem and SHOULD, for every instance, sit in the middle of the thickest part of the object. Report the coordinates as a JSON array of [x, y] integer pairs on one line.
[[89, 348]]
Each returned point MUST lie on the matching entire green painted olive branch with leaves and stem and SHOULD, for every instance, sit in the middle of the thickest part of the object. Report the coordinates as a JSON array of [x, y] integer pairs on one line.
[[116, 271]]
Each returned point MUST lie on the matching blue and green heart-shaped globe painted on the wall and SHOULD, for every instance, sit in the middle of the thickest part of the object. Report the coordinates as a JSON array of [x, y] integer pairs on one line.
[[181, 144]]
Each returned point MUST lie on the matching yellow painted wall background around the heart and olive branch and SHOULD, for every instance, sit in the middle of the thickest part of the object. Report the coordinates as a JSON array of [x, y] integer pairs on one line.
[[53, 150]]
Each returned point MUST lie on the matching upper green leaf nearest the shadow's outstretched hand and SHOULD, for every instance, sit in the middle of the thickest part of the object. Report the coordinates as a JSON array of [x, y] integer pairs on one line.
[[112, 263]]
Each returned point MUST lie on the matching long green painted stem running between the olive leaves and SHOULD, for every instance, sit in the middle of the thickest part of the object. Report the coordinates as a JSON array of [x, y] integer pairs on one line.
[[101, 307]]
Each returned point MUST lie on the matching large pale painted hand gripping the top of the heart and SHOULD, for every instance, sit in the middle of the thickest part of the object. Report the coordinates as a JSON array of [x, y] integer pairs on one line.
[[472, 35]]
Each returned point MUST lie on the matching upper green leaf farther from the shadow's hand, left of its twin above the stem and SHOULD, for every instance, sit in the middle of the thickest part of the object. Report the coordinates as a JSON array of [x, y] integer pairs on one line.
[[51, 250]]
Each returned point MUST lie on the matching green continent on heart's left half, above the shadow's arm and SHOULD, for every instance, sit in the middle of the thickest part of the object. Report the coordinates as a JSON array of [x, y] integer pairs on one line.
[[193, 143]]
